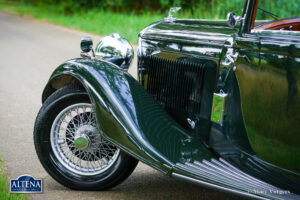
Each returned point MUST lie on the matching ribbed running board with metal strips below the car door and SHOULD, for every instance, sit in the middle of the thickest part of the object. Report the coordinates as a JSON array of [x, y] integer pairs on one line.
[[220, 174]]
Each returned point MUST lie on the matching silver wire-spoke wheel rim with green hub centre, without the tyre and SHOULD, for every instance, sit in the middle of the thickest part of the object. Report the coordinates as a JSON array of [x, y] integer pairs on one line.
[[77, 143]]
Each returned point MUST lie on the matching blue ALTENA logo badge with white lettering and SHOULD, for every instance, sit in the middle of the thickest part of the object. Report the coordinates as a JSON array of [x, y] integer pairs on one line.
[[26, 184]]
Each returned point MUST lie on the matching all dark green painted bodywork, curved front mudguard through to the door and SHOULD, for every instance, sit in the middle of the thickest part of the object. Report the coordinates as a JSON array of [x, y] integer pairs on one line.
[[259, 133]]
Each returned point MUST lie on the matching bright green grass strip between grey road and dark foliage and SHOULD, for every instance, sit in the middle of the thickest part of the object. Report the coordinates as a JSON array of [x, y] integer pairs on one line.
[[93, 21]]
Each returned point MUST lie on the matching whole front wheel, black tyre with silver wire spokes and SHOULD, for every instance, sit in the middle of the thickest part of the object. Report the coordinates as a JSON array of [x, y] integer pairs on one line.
[[70, 146]]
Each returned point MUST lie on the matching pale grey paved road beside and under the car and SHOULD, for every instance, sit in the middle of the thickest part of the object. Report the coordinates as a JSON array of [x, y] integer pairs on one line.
[[29, 52]]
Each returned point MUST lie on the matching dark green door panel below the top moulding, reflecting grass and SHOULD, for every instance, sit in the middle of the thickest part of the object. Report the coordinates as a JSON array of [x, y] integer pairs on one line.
[[271, 108]]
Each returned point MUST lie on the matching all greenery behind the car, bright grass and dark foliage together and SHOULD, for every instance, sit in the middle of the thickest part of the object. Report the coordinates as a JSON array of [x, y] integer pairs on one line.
[[129, 17]]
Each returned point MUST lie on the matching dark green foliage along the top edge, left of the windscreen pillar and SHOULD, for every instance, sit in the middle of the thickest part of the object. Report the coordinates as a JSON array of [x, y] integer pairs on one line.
[[192, 7]]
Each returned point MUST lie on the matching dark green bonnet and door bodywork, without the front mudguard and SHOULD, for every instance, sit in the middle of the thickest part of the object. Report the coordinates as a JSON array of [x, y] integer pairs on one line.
[[205, 41]]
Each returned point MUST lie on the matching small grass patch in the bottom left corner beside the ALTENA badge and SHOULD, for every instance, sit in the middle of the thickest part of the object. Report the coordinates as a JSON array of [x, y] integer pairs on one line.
[[4, 185]]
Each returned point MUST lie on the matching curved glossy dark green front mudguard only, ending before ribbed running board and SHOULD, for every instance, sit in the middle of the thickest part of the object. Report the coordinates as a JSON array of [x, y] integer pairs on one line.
[[129, 117]]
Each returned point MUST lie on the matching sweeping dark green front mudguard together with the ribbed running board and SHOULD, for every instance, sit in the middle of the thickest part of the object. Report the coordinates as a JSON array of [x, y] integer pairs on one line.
[[132, 120]]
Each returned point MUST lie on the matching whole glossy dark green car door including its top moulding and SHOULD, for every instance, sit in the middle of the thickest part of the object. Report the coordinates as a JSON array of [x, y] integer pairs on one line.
[[269, 85]]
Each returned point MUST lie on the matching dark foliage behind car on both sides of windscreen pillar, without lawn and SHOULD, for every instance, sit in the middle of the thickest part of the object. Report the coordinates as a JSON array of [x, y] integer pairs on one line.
[[215, 9]]
